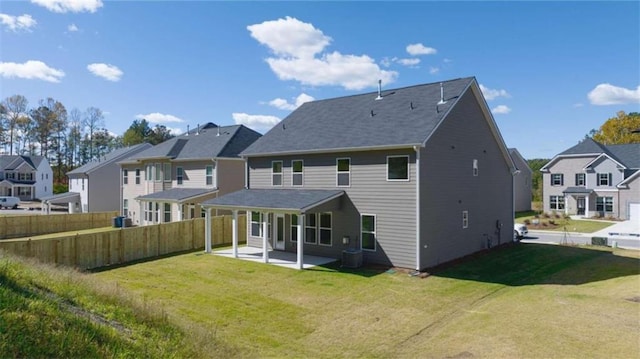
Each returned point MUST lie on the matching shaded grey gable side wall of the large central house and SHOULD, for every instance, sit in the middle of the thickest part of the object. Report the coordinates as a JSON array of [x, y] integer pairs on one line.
[[448, 187]]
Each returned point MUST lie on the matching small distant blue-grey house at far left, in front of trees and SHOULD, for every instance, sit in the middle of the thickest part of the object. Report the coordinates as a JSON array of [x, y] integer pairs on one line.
[[26, 177]]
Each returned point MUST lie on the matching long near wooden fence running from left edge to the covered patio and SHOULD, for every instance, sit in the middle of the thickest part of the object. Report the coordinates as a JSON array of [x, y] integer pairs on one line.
[[118, 246]]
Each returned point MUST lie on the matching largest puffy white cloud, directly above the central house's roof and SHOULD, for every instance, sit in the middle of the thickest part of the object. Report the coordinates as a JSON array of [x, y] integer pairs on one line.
[[299, 56]]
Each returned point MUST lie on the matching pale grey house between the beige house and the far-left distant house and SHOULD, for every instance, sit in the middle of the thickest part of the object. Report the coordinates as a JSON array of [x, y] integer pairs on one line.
[[95, 186]]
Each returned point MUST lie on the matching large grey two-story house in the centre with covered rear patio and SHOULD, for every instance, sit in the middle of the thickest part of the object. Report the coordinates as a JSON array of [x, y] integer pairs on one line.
[[411, 177]]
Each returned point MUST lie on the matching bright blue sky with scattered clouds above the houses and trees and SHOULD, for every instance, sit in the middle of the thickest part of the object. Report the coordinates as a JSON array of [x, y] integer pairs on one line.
[[550, 71]]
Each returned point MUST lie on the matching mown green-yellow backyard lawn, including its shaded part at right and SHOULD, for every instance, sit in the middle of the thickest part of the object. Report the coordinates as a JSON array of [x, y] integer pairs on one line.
[[526, 300]]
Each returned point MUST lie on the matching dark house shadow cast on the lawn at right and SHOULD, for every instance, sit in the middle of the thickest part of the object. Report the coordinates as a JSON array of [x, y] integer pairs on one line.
[[529, 264]]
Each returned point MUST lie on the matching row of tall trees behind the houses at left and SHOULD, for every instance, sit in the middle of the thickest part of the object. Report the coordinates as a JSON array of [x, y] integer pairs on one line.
[[68, 139]]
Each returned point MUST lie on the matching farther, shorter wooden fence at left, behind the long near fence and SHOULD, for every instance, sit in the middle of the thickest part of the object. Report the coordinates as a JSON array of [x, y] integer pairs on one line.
[[33, 225]]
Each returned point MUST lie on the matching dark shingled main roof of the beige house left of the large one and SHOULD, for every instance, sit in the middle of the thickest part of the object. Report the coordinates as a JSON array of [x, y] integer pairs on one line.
[[205, 142]]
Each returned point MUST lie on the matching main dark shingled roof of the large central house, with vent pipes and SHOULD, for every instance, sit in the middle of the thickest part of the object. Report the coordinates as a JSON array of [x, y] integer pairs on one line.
[[401, 117]]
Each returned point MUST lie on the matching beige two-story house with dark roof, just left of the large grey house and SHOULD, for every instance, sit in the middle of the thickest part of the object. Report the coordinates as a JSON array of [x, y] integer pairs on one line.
[[167, 182]]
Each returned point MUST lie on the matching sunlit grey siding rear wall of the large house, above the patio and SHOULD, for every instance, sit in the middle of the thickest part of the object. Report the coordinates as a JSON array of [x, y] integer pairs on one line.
[[392, 202]]
